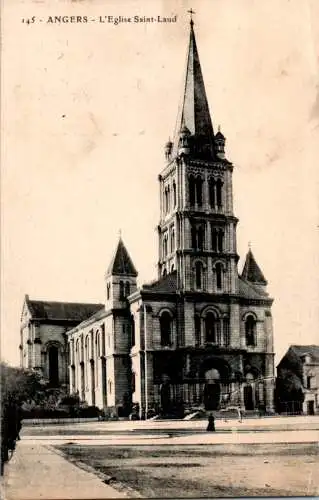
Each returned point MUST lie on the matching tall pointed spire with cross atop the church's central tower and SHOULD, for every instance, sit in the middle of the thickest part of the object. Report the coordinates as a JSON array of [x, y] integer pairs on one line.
[[193, 116]]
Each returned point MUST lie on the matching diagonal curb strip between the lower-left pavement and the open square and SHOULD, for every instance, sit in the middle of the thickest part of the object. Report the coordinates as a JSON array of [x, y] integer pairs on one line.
[[105, 478]]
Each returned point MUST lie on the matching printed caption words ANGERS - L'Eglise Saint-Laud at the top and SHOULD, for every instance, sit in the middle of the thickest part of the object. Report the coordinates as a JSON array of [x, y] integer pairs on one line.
[[111, 19]]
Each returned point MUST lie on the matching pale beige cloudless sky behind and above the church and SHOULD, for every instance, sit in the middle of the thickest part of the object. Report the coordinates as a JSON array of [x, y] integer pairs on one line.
[[86, 111]]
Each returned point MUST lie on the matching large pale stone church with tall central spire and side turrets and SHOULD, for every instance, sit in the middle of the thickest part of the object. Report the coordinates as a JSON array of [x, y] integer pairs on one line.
[[156, 348]]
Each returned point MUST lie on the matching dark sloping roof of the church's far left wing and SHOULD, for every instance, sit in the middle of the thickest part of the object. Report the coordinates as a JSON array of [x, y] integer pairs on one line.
[[67, 311]]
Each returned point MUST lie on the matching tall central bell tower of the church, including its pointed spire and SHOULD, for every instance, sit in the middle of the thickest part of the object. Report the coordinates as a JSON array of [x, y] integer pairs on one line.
[[197, 228]]
